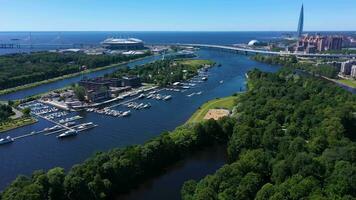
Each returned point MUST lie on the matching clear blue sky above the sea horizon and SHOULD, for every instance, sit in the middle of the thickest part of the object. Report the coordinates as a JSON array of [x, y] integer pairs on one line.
[[175, 15]]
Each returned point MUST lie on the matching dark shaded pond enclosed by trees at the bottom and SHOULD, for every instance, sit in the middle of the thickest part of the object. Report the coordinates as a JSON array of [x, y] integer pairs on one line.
[[168, 185]]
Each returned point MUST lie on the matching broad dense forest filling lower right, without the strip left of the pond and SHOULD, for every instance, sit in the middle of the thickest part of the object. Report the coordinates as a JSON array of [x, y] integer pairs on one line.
[[294, 139]]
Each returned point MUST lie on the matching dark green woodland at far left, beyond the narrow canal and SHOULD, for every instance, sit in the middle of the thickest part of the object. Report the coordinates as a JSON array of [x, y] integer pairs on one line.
[[21, 69]]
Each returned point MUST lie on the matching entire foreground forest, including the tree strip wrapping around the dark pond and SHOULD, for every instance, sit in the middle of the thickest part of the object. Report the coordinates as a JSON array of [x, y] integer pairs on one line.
[[292, 138]]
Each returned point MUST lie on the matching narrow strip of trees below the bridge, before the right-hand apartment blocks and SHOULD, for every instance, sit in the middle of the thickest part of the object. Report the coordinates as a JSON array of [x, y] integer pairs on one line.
[[291, 61]]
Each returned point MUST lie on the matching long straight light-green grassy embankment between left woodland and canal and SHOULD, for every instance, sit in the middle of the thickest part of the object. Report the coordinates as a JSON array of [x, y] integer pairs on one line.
[[32, 85]]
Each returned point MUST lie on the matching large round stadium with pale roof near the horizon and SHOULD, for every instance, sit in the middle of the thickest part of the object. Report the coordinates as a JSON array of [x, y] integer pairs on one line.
[[123, 44]]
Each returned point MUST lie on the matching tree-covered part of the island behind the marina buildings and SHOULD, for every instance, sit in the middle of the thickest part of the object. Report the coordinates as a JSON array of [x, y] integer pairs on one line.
[[162, 72]]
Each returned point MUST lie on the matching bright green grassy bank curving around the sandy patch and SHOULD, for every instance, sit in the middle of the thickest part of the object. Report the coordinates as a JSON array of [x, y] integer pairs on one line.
[[226, 103]]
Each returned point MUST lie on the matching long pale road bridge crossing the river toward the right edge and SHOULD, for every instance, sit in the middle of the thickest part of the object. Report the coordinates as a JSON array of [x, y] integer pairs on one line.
[[272, 53]]
